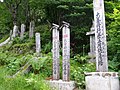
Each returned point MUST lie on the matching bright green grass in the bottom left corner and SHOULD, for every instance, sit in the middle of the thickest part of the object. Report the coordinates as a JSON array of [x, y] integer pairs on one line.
[[31, 82]]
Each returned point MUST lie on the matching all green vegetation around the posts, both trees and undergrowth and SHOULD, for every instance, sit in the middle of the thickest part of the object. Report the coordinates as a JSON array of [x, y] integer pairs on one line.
[[79, 13]]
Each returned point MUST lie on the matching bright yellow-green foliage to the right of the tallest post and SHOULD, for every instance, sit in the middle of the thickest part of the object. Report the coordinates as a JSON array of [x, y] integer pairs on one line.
[[113, 26]]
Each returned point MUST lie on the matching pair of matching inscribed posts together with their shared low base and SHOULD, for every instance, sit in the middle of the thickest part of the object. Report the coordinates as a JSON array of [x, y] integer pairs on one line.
[[65, 83]]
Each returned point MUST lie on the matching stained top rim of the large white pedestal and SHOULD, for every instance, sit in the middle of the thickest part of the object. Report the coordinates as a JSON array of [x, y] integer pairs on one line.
[[103, 74]]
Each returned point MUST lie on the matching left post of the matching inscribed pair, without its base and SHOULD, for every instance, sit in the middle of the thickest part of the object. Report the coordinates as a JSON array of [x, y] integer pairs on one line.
[[55, 37]]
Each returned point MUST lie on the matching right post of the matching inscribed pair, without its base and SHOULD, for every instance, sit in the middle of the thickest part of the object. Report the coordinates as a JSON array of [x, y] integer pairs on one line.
[[66, 51]]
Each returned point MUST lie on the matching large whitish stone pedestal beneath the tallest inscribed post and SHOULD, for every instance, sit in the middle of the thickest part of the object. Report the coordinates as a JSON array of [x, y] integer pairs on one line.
[[102, 81]]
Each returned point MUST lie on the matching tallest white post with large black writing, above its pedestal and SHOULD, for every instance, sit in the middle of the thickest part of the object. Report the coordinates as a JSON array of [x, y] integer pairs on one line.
[[100, 36]]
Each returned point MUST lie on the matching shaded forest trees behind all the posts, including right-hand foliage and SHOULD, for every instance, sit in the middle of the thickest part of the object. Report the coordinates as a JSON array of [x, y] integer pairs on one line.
[[79, 13]]
